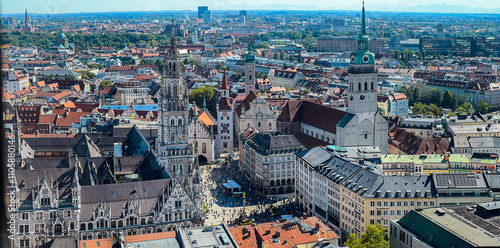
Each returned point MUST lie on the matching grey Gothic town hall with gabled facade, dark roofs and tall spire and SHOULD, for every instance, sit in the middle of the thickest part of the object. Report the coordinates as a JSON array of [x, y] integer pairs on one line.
[[90, 185]]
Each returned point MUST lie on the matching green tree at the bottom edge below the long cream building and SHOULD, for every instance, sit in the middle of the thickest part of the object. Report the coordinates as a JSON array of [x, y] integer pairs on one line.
[[373, 237]]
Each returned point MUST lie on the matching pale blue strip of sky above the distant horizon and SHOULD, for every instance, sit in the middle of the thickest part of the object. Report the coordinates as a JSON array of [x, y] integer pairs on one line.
[[72, 6]]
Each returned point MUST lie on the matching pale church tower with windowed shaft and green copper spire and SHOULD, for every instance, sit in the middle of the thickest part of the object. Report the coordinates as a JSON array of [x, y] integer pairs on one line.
[[367, 127]]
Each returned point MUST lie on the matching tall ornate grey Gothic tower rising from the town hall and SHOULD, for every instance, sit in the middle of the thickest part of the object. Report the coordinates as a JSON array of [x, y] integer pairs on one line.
[[174, 152]]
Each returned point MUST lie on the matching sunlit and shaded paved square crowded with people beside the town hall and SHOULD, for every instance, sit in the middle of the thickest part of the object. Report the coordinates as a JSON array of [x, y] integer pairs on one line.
[[225, 208]]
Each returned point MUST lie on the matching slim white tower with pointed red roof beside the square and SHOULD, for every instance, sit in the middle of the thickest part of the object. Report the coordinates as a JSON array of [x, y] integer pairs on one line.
[[224, 120]]
